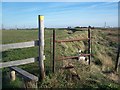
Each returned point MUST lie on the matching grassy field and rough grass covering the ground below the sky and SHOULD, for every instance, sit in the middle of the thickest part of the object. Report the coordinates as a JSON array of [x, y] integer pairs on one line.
[[99, 74]]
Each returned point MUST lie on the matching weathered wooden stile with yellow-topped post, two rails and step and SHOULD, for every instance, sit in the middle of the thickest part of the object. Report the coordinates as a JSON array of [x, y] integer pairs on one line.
[[30, 80]]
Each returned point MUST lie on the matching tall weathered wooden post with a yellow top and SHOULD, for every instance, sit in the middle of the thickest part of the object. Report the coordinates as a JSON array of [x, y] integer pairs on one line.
[[41, 47]]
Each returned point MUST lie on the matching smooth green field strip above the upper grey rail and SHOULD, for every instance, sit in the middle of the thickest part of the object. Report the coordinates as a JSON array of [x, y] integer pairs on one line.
[[15, 36]]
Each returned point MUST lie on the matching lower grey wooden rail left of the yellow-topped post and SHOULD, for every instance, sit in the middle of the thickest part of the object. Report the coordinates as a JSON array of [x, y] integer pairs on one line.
[[17, 62]]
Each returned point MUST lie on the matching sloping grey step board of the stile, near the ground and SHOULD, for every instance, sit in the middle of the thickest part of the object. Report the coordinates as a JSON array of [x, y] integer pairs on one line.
[[25, 74]]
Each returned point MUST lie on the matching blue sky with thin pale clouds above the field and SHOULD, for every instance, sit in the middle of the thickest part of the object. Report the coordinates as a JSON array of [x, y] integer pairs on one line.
[[59, 14]]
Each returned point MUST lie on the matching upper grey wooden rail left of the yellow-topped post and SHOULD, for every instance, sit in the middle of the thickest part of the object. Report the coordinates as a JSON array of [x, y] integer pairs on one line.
[[19, 45]]
